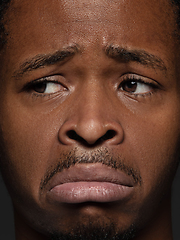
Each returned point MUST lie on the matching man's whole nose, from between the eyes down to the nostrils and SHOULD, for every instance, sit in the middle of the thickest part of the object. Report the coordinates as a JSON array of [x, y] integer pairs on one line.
[[91, 120]]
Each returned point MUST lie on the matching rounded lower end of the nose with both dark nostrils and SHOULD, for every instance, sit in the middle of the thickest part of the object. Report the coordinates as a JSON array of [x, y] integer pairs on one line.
[[90, 133]]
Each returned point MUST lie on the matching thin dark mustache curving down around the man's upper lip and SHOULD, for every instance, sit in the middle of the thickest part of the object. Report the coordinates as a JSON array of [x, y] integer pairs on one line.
[[103, 156]]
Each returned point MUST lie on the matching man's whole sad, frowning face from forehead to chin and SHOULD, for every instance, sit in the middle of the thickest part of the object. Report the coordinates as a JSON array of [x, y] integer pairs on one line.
[[90, 112]]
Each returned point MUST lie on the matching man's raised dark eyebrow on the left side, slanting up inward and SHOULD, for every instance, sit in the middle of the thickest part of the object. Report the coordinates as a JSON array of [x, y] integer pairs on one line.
[[42, 60]]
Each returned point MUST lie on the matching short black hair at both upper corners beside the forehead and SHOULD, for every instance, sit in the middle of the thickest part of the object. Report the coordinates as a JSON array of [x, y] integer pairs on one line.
[[4, 4]]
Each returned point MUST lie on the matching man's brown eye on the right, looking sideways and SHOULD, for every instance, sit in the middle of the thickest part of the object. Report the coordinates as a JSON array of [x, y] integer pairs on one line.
[[136, 85]]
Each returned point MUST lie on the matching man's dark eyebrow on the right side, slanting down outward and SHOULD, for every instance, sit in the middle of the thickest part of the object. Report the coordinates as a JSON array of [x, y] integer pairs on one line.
[[139, 56]]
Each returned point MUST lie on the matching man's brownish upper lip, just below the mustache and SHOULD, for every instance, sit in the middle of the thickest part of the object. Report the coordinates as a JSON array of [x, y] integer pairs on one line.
[[91, 172]]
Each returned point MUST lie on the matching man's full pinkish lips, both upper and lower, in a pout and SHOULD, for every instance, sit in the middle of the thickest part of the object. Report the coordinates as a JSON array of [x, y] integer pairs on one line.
[[89, 183]]
